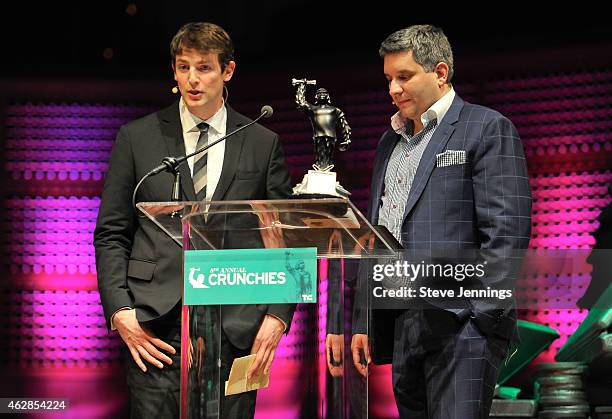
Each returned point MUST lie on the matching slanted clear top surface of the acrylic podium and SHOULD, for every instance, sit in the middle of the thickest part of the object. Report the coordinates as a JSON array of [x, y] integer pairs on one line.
[[334, 226]]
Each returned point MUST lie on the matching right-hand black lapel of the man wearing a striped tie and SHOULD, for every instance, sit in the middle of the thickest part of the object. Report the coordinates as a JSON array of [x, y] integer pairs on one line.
[[231, 156]]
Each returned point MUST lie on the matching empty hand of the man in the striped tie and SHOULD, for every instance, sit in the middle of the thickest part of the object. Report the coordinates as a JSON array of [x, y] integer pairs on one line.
[[140, 342]]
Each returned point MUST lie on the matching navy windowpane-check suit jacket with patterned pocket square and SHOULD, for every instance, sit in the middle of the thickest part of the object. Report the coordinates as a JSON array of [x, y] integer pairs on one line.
[[484, 204]]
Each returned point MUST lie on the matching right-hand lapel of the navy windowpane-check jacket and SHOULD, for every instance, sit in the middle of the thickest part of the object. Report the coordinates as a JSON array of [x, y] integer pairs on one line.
[[434, 147]]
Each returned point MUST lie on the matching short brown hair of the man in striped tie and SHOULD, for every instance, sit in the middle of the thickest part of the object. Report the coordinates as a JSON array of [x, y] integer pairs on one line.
[[204, 37]]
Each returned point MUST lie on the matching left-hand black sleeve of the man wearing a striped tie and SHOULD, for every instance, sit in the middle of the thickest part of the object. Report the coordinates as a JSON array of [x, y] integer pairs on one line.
[[115, 226]]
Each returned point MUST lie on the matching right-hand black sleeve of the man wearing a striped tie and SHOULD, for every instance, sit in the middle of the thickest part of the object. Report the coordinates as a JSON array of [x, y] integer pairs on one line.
[[278, 186]]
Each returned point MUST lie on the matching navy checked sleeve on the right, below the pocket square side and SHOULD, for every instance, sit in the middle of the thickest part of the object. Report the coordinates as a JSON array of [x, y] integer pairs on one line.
[[502, 200]]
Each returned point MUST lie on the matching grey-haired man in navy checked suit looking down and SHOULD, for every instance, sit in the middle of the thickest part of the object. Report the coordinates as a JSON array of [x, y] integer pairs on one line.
[[449, 176]]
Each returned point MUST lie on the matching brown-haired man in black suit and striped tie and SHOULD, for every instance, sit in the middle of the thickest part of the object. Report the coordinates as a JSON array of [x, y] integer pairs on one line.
[[139, 266]]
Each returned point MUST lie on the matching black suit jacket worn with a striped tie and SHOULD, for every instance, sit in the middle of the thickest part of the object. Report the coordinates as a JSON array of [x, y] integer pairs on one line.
[[140, 266]]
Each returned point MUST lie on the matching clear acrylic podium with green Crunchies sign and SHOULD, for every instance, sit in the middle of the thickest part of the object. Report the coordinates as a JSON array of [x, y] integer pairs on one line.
[[302, 381]]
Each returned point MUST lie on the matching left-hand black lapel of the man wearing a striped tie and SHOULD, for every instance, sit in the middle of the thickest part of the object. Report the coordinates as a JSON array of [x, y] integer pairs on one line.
[[172, 131]]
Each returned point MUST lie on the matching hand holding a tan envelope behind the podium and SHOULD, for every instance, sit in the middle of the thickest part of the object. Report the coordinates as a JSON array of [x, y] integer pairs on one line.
[[264, 346]]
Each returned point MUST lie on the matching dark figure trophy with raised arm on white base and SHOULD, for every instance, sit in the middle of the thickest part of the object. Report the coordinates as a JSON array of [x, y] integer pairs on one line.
[[325, 119]]
